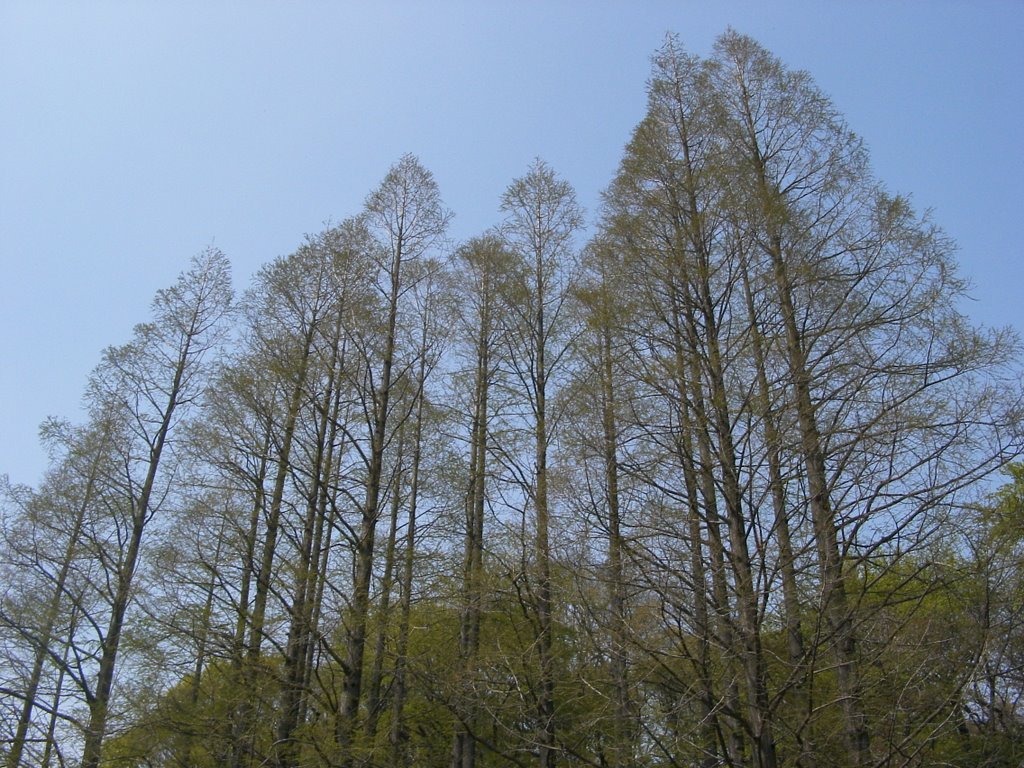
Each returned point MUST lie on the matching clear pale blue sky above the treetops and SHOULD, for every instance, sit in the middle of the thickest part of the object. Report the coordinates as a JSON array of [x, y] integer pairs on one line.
[[135, 135]]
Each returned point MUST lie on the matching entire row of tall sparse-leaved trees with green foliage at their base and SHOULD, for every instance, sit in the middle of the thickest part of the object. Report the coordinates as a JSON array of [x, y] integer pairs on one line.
[[713, 488]]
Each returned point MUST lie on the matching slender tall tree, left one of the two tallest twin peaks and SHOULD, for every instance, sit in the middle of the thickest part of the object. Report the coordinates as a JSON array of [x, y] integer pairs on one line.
[[669, 205]]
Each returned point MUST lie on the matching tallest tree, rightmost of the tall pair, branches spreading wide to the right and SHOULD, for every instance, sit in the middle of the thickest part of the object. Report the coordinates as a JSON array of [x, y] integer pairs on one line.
[[866, 298]]
